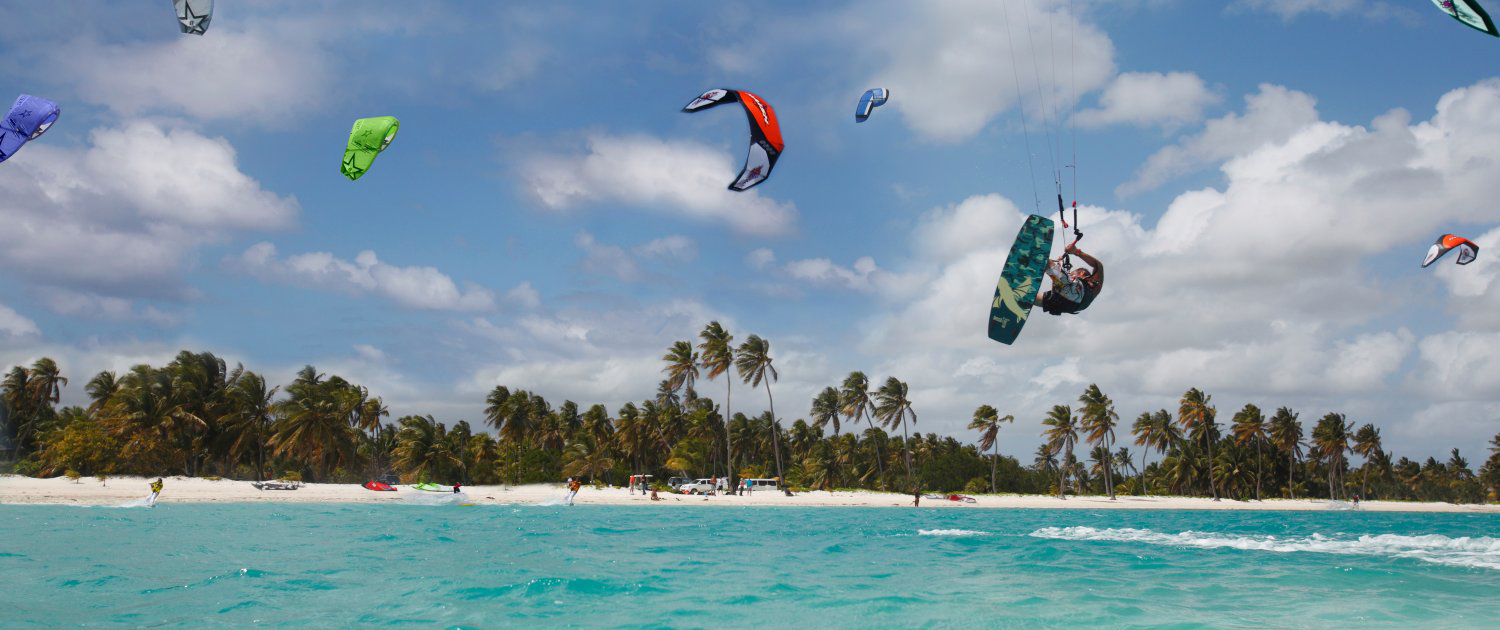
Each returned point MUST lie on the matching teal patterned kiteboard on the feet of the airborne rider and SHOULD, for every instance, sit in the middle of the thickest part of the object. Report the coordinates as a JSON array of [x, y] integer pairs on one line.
[[1021, 280]]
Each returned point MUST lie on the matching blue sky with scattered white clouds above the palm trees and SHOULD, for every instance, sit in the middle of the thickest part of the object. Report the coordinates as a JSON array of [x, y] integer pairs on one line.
[[1261, 178]]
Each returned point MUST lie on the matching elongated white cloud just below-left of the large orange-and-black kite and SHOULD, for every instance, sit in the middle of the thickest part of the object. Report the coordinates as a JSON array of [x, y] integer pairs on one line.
[[680, 178]]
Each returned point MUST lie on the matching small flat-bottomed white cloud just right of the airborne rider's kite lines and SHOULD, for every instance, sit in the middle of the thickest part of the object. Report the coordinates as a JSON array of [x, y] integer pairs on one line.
[[1151, 98]]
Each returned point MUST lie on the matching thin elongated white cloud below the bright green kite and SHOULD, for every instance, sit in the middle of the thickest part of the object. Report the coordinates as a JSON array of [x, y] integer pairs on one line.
[[413, 287]]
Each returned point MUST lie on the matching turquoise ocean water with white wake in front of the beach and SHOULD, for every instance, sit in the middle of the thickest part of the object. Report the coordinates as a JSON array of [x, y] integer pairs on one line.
[[658, 566]]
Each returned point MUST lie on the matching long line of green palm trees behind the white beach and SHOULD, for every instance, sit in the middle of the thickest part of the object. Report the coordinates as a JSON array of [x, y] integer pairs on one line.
[[196, 416]]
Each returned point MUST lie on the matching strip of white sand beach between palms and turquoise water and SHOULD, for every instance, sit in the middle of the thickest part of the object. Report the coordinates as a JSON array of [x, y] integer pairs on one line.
[[16, 490]]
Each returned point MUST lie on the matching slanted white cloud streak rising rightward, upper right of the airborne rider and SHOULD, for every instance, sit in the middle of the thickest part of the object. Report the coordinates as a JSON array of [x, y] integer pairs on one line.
[[1271, 116]]
